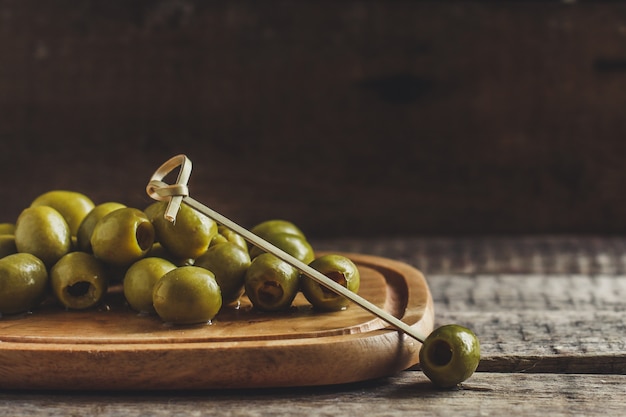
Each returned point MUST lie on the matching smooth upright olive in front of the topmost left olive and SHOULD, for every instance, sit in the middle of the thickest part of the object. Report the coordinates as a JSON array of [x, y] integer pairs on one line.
[[43, 232]]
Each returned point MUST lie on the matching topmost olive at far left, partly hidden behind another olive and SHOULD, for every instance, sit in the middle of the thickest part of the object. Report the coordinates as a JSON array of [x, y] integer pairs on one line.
[[72, 205]]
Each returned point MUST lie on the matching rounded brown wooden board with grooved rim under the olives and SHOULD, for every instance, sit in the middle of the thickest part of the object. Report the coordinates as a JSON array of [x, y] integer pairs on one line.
[[113, 348]]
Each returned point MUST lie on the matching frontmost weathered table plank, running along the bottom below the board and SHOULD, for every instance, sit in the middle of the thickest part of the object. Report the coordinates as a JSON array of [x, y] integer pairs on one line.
[[408, 394]]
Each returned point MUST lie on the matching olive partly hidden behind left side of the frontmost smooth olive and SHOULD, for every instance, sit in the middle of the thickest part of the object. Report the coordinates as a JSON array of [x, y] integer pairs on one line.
[[139, 282]]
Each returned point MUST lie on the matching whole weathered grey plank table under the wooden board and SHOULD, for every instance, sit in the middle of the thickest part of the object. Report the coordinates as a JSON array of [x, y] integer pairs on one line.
[[549, 312]]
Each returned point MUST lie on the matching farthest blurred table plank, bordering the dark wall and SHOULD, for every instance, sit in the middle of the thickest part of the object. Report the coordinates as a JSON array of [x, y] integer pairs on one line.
[[527, 254]]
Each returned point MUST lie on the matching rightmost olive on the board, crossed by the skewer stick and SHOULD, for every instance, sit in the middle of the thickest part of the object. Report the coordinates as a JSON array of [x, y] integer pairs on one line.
[[338, 268]]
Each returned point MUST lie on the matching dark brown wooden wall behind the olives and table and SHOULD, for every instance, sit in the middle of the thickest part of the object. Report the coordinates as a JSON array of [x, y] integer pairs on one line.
[[349, 118]]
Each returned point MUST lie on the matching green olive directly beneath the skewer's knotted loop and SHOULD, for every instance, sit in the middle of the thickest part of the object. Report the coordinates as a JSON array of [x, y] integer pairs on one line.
[[188, 237]]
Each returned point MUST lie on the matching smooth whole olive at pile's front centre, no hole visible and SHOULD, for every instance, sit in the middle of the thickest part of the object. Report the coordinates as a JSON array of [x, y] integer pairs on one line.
[[187, 295]]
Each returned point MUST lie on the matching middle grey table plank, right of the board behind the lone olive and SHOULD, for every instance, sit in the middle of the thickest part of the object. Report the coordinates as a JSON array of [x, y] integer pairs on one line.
[[539, 323]]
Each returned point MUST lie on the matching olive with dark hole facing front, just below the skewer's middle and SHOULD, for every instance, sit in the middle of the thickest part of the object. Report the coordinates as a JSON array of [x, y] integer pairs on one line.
[[270, 283]]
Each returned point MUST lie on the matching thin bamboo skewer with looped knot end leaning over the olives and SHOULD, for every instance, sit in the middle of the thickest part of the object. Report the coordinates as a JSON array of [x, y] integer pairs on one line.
[[178, 193]]
